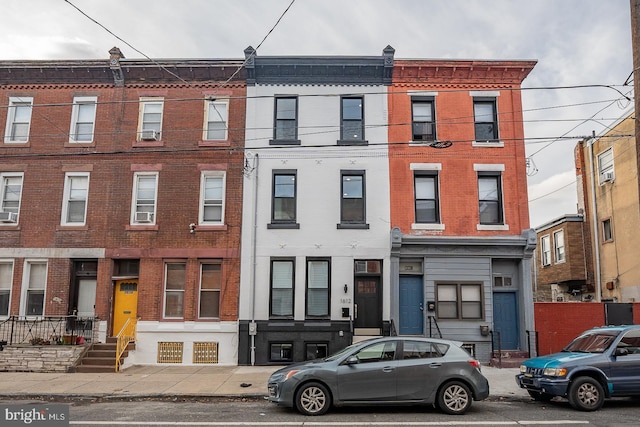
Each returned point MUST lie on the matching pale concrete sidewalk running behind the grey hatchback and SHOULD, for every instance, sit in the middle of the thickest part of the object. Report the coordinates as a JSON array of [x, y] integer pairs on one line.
[[181, 381]]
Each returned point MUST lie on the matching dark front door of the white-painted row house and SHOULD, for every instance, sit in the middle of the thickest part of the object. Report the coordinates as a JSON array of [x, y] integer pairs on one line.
[[368, 309]]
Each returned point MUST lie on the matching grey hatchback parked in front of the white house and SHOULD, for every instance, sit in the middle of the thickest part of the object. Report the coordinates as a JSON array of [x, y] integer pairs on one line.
[[389, 371]]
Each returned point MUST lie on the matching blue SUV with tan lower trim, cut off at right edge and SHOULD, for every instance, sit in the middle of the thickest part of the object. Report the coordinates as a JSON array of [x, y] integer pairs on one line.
[[600, 363]]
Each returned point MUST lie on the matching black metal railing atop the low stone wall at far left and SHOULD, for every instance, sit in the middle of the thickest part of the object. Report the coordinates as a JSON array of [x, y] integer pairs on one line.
[[48, 330]]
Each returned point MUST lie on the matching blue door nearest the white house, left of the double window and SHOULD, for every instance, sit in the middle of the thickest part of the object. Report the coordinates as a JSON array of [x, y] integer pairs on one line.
[[411, 305]]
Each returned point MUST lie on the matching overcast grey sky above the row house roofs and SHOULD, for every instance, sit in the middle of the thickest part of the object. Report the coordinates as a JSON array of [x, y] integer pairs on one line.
[[576, 43]]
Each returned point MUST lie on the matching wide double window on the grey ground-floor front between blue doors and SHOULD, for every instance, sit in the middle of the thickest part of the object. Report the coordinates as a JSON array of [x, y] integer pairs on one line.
[[459, 301]]
